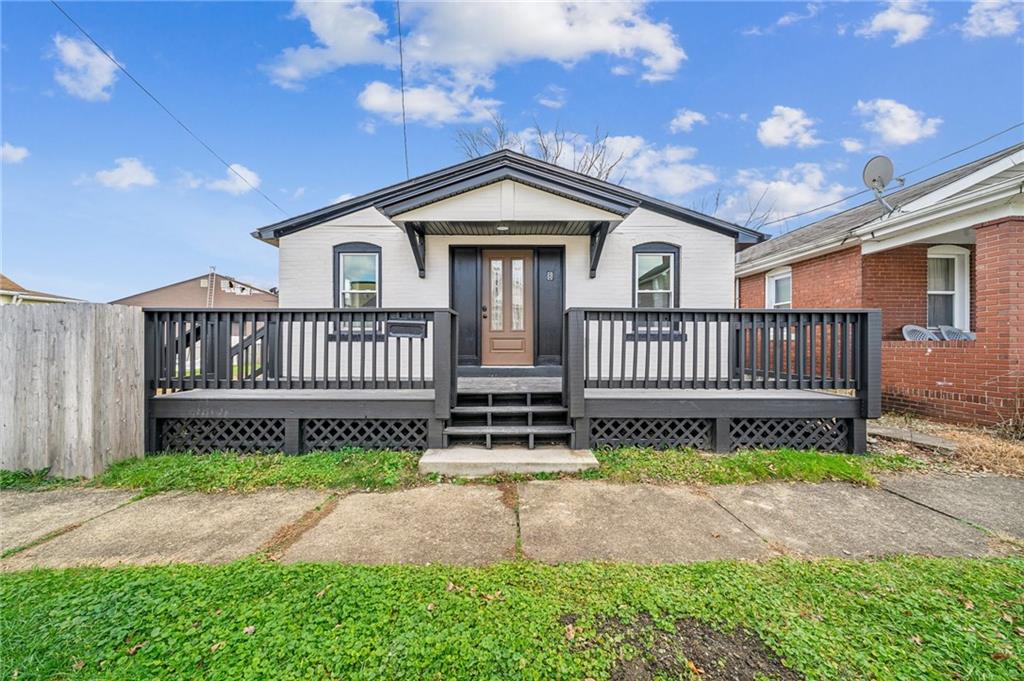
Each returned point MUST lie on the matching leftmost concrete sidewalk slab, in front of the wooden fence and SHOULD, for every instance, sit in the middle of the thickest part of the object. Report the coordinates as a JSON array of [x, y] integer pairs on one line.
[[28, 517]]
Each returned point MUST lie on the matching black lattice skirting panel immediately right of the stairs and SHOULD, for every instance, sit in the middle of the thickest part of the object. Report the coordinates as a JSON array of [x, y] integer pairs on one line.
[[657, 434]]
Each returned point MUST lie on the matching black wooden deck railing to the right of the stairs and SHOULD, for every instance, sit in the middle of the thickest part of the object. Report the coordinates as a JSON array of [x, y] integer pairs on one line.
[[723, 350]]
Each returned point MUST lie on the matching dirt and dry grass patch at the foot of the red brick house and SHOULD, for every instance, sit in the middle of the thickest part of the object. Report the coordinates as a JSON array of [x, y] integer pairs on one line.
[[977, 449]]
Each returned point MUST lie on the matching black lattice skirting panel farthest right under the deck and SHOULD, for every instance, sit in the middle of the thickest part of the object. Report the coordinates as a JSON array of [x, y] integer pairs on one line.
[[822, 435]]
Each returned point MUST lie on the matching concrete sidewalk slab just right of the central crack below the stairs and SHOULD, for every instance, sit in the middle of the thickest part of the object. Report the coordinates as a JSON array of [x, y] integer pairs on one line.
[[565, 522]]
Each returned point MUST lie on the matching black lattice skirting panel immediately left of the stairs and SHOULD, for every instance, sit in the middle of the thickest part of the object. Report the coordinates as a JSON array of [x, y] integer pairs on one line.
[[377, 434]]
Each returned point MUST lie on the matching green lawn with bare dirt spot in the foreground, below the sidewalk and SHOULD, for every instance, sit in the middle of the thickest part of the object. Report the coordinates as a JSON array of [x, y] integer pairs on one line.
[[908, 618]]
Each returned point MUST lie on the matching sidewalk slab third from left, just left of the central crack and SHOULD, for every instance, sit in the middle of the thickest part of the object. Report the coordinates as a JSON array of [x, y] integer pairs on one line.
[[445, 524]]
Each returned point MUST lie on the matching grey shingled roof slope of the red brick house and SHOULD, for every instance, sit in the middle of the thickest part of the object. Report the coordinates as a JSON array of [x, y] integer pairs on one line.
[[837, 229]]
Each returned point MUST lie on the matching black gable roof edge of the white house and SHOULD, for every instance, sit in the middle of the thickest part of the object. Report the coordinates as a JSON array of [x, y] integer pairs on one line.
[[496, 167]]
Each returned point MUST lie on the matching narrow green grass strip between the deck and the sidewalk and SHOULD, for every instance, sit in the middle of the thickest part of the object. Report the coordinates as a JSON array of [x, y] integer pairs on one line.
[[380, 471]]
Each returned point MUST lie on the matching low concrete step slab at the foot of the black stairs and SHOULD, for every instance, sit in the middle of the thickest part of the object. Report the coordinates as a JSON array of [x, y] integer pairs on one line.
[[479, 462]]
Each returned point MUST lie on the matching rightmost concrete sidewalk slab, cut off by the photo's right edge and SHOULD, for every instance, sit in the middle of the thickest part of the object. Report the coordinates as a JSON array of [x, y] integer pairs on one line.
[[994, 502]]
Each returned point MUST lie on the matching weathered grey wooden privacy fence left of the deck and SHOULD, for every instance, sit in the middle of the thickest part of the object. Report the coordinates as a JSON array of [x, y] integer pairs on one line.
[[71, 398]]
